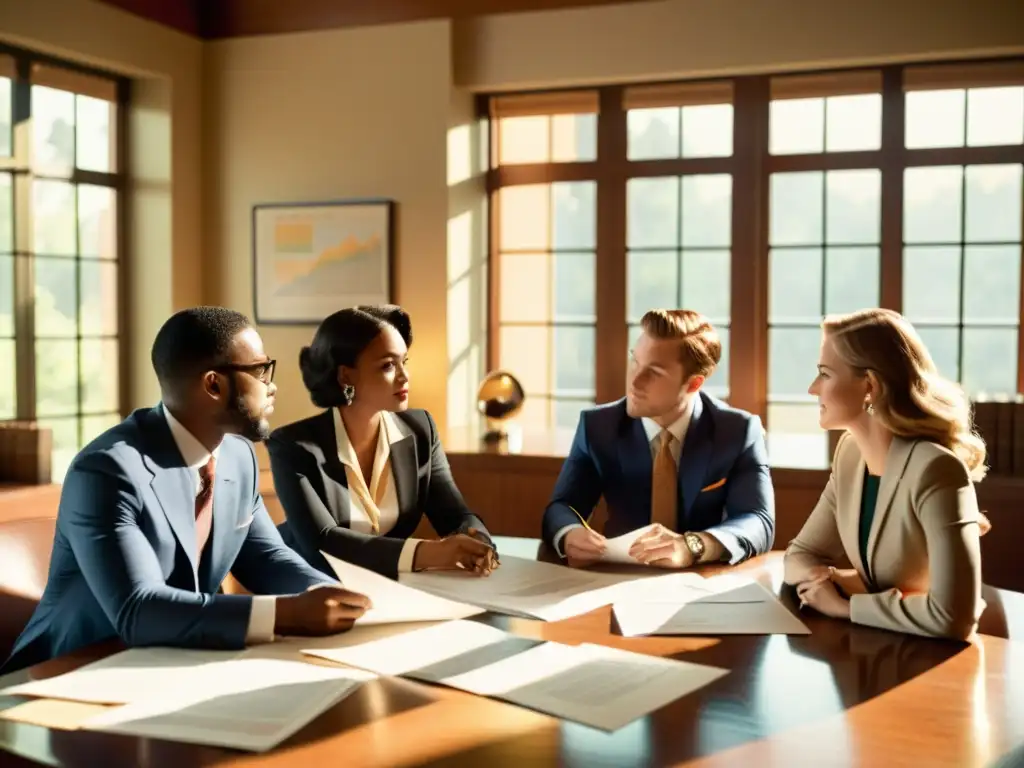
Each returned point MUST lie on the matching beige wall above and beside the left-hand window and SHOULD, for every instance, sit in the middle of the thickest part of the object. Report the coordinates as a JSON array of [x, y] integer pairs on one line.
[[165, 201]]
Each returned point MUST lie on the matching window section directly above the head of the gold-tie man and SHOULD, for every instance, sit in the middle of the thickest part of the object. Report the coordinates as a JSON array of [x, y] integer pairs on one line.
[[679, 227]]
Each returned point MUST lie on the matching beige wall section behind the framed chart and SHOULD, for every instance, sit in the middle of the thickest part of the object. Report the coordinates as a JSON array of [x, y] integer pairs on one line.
[[326, 116]]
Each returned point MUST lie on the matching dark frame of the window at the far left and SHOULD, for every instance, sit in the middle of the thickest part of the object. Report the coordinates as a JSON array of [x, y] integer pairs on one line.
[[19, 165]]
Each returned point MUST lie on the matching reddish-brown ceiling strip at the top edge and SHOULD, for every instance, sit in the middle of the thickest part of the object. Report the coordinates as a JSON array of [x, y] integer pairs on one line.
[[222, 19]]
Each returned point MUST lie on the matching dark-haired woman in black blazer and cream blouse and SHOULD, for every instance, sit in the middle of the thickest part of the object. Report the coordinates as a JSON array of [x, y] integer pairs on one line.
[[356, 480]]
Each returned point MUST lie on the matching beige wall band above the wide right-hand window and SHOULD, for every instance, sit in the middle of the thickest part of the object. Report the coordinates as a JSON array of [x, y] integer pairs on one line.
[[701, 38]]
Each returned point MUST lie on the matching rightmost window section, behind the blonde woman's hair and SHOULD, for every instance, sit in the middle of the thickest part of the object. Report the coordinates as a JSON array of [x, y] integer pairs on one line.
[[962, 222]]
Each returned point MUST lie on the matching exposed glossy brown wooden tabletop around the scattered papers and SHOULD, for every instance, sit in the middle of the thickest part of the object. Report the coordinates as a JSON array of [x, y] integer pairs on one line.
[[844, 696]]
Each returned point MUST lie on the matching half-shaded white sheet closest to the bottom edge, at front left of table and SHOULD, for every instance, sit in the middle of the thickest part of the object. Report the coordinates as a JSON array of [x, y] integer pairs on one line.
[[252, 704]]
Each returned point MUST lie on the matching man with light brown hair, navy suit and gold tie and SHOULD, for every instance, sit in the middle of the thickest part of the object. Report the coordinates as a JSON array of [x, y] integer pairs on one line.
[[668, 456]]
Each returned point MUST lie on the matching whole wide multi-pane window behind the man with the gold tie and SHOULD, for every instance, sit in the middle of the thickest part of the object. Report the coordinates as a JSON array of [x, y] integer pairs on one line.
[[766, 203]]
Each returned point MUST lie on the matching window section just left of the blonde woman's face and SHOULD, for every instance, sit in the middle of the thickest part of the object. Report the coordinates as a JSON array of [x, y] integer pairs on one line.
[[824, 242]]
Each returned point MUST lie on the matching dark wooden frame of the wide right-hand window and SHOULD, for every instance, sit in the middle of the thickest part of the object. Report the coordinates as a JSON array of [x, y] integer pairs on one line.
[[752, 166]]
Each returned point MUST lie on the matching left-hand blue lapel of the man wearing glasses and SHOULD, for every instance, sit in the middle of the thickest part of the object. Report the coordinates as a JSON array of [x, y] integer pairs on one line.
[[173, 484]]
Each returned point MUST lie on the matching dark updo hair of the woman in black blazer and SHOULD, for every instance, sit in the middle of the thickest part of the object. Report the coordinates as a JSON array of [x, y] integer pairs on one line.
[[339, 342]]
